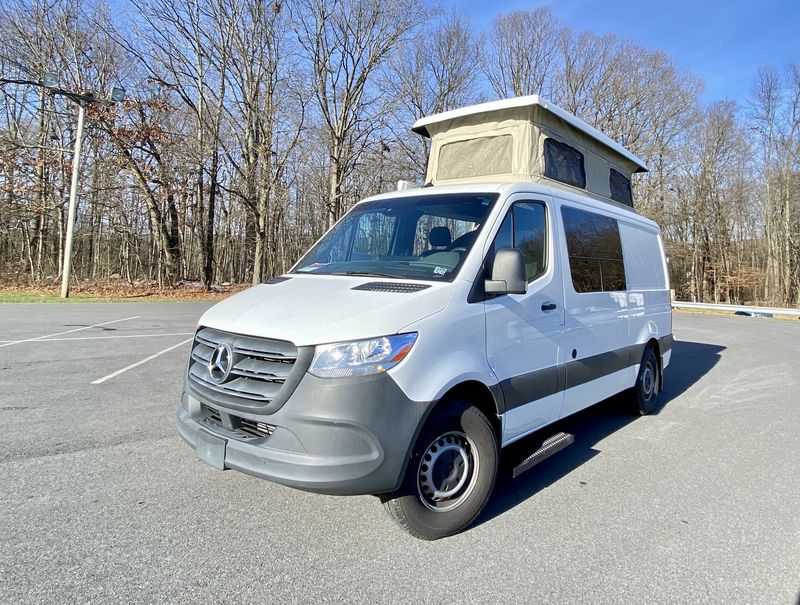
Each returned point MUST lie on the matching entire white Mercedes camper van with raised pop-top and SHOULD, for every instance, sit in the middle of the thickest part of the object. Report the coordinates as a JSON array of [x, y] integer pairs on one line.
[[431, 327]]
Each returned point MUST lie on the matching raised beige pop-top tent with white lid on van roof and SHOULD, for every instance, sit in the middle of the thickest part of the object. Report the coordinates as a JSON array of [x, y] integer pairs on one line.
[[526, 139]]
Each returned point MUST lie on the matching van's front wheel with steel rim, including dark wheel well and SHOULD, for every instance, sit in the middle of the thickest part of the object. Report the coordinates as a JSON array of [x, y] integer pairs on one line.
[[450, 475]]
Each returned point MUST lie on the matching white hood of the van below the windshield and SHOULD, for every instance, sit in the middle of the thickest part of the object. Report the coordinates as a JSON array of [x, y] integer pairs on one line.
[[316, 309]]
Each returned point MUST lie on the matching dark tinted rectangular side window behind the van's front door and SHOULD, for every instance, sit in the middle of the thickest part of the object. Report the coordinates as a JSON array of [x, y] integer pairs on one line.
[[595, 251]]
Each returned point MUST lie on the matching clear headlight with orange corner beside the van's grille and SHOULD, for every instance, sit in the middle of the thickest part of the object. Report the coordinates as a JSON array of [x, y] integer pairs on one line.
[[361, 357]]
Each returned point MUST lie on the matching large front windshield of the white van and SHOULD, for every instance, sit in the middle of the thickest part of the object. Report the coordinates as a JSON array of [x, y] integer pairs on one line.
[[421, 237]]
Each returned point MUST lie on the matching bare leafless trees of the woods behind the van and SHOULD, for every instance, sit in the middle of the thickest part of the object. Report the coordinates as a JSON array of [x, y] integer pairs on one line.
[[252, 126]]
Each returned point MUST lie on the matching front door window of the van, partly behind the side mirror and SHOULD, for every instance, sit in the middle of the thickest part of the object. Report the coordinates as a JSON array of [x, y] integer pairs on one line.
[[525, 228]]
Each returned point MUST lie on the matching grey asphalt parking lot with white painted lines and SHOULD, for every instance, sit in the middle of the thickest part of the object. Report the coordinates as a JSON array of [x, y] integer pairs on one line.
[[101, 501]]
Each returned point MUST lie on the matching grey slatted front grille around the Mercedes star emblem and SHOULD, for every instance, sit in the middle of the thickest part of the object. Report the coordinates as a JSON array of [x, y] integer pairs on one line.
[[259, 372]]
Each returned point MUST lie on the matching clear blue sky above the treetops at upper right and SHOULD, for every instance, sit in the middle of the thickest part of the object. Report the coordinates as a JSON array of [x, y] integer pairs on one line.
[[723, 43]]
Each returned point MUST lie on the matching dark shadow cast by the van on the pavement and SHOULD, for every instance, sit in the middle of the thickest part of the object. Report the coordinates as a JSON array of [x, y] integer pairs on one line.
[[690, 362]]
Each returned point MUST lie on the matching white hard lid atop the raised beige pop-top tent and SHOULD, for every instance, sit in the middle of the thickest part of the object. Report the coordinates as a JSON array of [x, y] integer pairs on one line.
[[421, 125]]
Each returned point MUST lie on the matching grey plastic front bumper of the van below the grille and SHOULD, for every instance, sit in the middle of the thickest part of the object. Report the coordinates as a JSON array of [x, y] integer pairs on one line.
[[341, 436]]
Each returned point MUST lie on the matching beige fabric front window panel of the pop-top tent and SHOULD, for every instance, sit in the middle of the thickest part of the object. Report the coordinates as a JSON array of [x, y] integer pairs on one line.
[[475, 157]]
